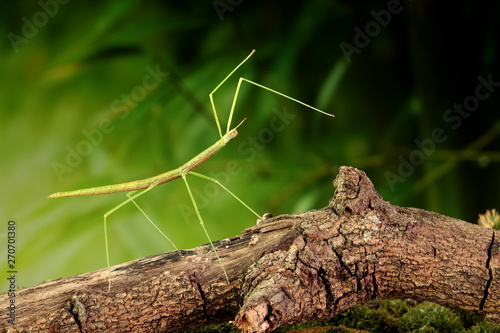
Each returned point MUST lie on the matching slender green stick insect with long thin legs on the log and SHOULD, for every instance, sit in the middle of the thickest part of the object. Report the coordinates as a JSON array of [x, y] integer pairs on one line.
[[140, 187]]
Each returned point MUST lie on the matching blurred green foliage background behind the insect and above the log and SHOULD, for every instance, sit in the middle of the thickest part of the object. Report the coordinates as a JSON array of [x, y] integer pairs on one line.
[[70, 73]]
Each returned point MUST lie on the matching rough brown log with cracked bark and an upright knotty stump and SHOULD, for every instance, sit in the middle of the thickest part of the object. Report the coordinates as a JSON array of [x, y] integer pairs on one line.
[[287, 269]]
